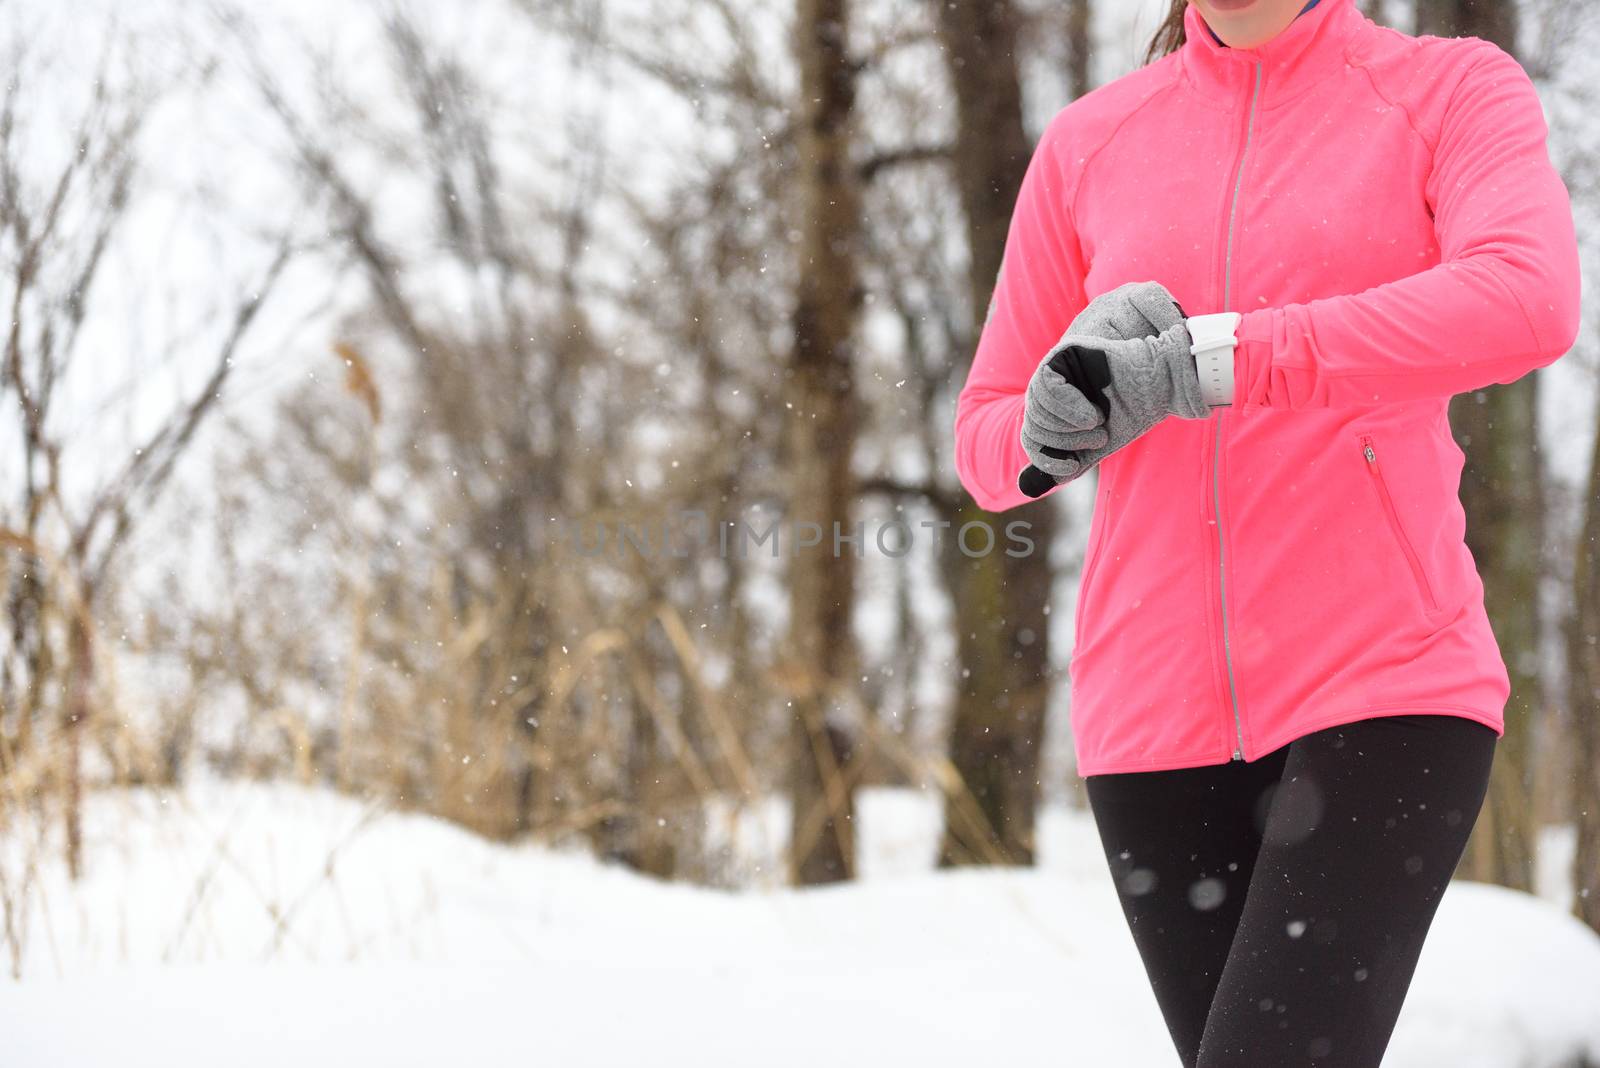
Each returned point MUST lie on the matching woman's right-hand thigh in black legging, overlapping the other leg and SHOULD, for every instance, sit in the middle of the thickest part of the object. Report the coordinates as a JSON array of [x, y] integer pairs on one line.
[[1362, 839]]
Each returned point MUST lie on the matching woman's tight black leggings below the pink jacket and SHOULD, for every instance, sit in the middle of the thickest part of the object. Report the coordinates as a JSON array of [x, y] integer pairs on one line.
[[1281, 904]]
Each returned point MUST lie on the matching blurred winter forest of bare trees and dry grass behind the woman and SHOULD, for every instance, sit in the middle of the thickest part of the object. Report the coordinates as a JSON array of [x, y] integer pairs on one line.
[[326, 316]]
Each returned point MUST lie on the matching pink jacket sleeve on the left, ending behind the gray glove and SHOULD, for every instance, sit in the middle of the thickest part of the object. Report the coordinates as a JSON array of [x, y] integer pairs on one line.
[[1036, 298]]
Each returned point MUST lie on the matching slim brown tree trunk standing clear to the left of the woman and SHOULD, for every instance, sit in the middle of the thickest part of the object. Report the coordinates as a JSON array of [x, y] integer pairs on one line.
[[820, 437]]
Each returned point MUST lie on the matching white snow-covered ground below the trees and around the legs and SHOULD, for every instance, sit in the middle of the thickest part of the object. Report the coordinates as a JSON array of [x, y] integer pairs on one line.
[[278, 927]]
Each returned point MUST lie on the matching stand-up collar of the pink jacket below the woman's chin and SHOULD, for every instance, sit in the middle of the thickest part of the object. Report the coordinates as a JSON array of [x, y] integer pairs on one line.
[[1303, 54]]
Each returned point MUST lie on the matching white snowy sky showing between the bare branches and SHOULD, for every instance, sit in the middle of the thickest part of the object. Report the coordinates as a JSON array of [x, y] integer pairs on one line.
[[218, 189]]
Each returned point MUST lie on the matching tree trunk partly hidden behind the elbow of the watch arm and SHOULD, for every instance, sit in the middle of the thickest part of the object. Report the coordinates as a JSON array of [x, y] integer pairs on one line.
[[1503, 495]]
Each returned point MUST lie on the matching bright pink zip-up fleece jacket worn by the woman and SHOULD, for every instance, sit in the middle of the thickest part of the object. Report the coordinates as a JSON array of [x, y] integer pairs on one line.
[[1383, 212]]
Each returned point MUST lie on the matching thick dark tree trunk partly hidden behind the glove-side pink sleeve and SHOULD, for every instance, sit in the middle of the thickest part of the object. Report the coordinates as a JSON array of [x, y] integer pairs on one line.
[[1001, 602]]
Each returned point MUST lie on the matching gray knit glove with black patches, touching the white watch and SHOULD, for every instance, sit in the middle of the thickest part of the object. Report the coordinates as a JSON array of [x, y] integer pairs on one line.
[[1113, 377]]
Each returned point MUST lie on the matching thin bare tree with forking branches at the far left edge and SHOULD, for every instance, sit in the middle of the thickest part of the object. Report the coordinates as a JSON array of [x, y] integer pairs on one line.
[[68, 541]]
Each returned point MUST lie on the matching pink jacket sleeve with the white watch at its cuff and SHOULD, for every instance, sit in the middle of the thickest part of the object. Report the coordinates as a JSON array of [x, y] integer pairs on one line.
[[1503, 300]]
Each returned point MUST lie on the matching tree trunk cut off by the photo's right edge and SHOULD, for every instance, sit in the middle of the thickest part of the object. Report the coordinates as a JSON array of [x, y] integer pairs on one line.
[[1583, 655]]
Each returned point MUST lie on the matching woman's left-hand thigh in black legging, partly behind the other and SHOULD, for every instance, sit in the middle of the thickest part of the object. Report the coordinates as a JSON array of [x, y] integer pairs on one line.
[[1182, 847]]
